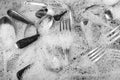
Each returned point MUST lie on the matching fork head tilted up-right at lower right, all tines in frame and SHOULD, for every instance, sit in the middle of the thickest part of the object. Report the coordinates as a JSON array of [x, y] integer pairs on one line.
[[94, 55]]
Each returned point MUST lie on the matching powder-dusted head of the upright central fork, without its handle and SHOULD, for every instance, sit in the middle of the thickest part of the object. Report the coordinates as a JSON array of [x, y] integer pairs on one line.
[[65, 35]]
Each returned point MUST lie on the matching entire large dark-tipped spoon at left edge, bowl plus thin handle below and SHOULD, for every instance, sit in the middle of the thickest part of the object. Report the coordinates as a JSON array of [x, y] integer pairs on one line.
[[7, 38]]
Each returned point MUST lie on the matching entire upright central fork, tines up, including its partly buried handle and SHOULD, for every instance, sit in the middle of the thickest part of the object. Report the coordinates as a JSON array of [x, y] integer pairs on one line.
[[65, 37]]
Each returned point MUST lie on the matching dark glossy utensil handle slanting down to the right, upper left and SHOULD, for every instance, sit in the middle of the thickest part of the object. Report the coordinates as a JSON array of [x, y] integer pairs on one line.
[[14, 14]]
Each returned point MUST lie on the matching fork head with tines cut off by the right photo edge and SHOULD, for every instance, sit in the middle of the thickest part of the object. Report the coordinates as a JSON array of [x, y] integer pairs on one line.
[[112, 36]]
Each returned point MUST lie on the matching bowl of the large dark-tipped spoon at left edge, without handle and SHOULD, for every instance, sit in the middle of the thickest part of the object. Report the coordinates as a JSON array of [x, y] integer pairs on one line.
[[7, 31]]
